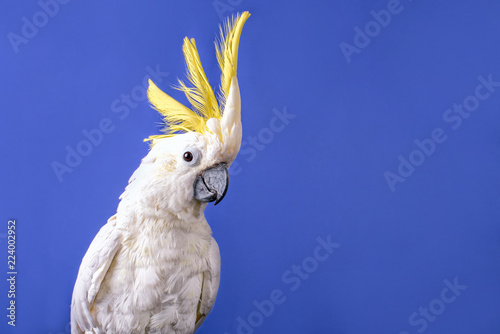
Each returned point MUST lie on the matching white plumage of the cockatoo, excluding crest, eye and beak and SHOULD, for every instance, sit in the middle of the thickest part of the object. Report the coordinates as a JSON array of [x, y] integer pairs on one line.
[[148, 267]]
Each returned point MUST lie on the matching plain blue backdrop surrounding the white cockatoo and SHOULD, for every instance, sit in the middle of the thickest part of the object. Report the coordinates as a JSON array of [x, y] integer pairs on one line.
[[321, 175]]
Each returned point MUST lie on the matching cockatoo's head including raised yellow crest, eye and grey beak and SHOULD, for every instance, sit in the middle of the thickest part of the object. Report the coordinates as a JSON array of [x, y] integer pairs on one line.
[[191, 160]]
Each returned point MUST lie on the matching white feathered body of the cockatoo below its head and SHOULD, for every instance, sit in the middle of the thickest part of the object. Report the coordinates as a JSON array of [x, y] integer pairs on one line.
[[155, 262]]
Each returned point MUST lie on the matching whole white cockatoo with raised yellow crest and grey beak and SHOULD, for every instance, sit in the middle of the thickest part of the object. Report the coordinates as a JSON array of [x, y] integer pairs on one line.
[[154, 267]]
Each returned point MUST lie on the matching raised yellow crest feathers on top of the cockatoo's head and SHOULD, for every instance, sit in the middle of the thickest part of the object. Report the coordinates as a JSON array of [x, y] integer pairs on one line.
[[179, 118]]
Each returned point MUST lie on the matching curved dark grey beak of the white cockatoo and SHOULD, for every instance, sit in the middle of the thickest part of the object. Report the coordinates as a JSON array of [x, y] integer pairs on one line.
[[211, 185]]
